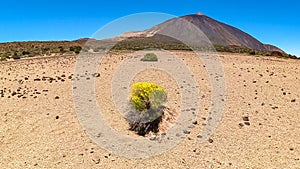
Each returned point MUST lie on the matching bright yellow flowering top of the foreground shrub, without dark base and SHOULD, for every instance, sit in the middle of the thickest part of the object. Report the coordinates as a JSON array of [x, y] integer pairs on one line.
[[146, 95]]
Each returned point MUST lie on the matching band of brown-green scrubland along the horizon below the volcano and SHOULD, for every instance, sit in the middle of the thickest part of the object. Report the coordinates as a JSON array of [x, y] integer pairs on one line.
[[58, 48]]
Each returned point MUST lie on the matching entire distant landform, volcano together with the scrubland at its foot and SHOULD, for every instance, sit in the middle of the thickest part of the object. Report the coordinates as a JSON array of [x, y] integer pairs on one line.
[[170, 35]]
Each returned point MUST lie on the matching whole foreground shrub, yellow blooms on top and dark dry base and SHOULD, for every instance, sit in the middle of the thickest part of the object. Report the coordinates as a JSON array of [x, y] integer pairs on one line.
[[147, 100]]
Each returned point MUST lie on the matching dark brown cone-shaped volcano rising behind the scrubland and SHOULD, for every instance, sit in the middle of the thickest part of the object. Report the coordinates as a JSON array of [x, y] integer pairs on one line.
[[212, 31]]
